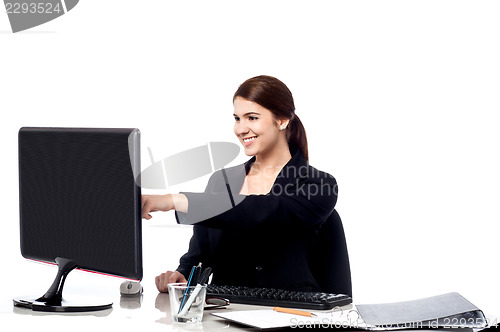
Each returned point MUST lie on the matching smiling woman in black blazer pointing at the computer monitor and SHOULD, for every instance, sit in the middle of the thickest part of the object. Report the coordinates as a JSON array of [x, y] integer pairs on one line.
[[256, 224]]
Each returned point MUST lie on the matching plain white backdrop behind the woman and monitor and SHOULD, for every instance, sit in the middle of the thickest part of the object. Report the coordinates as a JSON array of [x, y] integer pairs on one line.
[[399, 100]]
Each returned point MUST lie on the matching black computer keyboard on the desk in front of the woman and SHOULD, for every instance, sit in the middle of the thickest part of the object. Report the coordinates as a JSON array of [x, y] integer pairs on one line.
[[279, 297]]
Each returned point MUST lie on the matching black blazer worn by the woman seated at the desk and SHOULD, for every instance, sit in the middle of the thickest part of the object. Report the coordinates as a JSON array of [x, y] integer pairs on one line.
[[260, 240]]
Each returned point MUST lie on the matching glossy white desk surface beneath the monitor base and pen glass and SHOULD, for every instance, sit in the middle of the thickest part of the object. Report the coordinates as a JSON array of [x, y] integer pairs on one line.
[[149, 312]]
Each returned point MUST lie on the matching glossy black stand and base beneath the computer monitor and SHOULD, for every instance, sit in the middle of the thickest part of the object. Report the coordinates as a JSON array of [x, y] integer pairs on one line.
[[53, 301]]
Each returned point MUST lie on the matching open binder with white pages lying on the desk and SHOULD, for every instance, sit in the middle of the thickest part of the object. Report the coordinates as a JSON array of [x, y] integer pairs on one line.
[[449, 310]]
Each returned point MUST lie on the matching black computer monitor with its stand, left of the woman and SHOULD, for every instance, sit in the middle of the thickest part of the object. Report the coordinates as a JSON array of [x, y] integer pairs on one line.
[[80, 206]]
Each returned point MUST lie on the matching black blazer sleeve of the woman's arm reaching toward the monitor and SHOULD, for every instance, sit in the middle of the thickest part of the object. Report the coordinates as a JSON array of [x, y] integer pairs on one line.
[[305, 201]]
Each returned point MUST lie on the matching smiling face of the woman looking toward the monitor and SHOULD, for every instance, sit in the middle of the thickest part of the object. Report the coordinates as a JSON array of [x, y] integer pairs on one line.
[[256, 127]]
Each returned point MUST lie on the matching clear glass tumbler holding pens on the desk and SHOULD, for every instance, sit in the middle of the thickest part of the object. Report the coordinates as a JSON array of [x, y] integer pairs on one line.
[[187, 303]]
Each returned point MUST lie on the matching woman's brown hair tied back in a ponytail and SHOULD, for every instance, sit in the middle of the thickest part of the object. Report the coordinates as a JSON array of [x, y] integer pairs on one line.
[[271, 93]]
